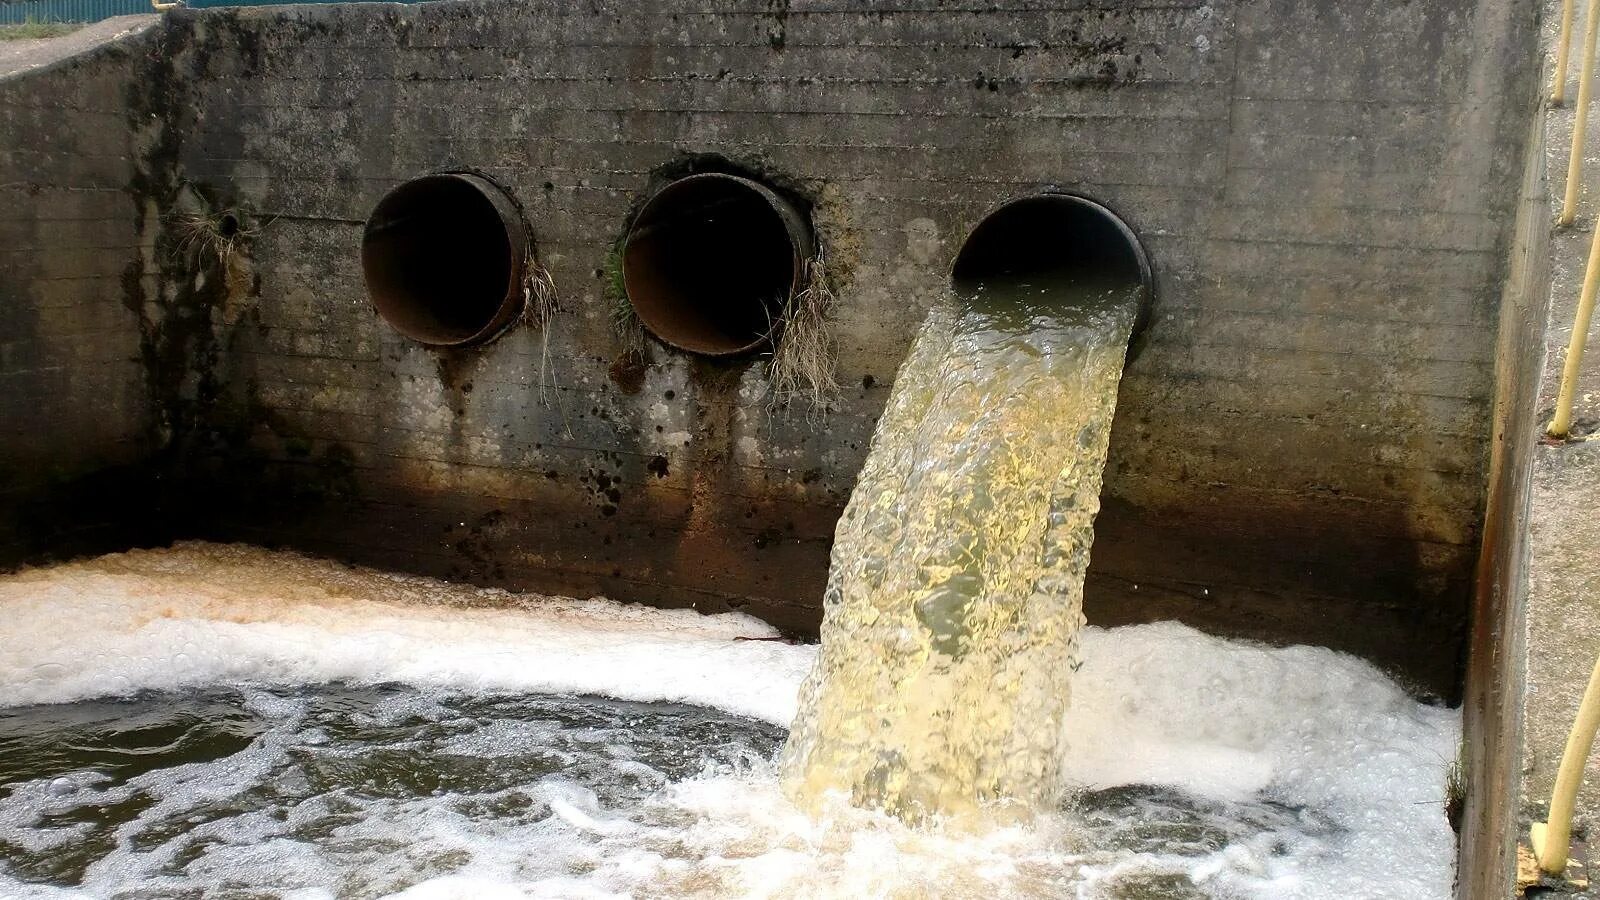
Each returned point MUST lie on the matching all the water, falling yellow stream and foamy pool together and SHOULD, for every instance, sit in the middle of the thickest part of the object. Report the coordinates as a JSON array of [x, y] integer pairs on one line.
[[228, 721]]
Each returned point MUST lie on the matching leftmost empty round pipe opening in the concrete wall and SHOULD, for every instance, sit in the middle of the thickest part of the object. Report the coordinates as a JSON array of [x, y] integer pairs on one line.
[[444, 259]]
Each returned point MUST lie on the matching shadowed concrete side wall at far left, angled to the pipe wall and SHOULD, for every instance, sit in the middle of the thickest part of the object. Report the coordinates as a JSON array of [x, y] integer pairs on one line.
[[76, 412]]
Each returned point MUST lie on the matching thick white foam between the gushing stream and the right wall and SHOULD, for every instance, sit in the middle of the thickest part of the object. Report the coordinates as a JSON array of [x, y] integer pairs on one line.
[[1303, 726]]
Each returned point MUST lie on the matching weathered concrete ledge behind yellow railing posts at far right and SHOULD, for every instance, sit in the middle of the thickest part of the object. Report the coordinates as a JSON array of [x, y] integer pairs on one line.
[[1564, 581]]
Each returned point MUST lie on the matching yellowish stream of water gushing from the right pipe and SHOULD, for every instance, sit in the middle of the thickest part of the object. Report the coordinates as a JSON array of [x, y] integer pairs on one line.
[[954, 600]]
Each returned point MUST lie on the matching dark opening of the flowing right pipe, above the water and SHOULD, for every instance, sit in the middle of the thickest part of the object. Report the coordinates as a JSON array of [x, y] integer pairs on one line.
[[1055, 236]]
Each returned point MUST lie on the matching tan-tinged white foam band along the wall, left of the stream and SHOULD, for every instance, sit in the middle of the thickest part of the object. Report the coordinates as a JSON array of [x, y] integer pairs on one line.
[[207, 614]]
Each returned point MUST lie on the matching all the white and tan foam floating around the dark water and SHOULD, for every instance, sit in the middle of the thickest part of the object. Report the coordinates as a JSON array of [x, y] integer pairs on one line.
[[1306, 729]]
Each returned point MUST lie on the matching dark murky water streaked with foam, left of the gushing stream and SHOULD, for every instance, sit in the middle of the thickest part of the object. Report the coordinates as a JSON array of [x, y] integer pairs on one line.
[[358, 790]]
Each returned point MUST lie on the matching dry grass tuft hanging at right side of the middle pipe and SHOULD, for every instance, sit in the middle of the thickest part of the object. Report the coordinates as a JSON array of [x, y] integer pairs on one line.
[[806, 355]]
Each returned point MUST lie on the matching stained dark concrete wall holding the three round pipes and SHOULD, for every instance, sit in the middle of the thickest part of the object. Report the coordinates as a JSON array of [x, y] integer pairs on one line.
[[1327, 193]]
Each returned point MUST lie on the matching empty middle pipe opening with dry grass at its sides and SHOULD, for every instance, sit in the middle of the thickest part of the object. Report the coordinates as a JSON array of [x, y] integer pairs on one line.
[[711, 262]]
